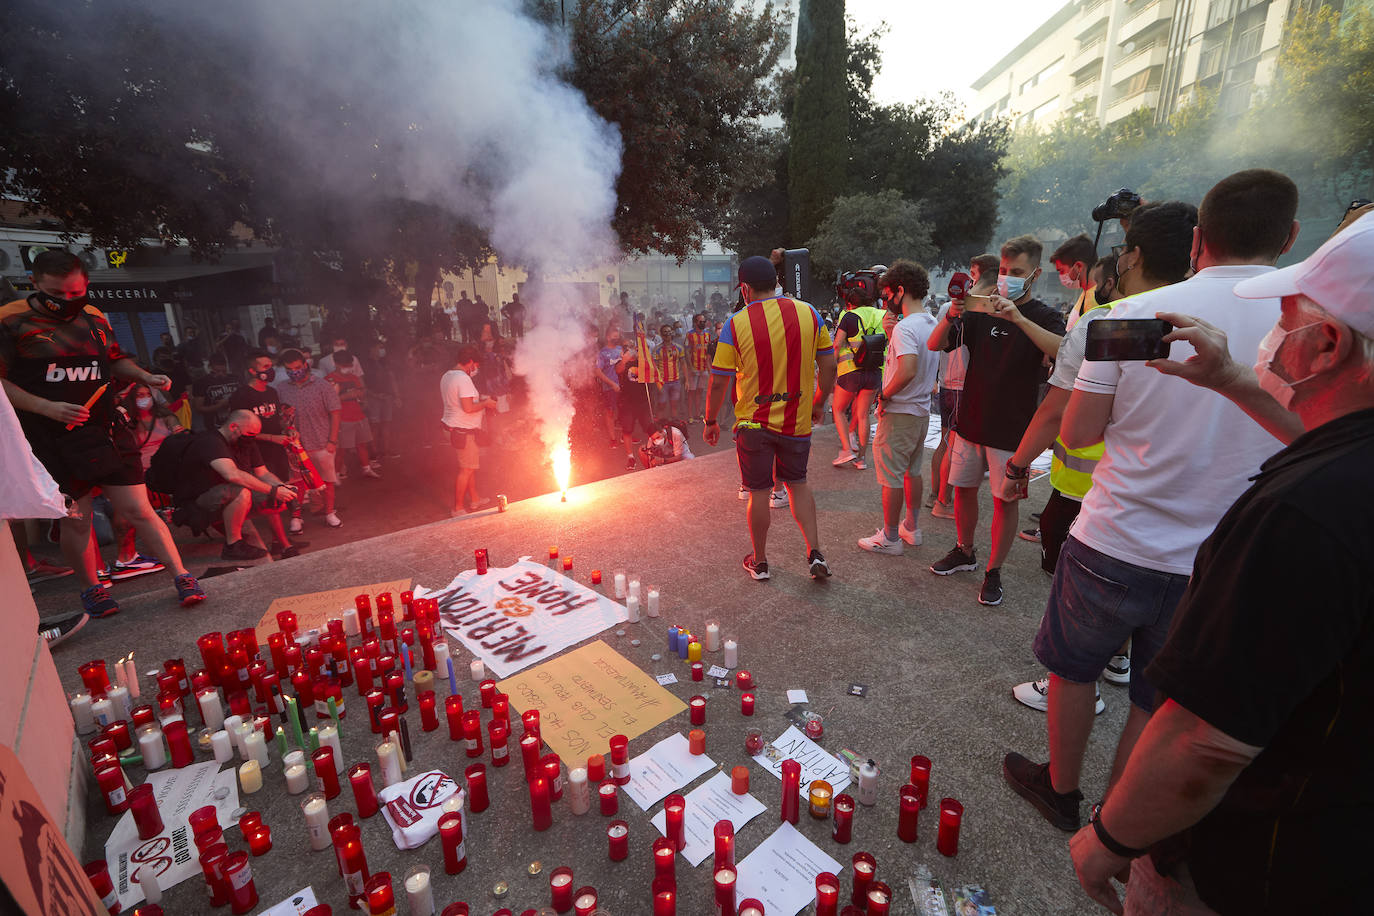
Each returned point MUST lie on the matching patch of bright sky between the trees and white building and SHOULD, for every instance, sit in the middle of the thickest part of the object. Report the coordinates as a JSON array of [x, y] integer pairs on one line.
[[927, 50]]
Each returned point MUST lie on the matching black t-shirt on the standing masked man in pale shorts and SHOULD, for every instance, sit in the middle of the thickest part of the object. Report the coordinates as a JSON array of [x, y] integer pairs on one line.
[[1001, 389]]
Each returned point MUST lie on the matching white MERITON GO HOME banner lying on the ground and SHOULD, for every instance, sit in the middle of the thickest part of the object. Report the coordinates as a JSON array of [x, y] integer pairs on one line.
[[520, 615]]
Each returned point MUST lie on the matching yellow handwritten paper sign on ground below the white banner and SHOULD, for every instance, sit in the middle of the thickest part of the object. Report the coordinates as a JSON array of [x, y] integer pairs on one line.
[[589, 697]]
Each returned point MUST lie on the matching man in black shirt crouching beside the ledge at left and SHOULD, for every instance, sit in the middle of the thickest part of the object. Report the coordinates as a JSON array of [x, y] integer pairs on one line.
[[223, 473]]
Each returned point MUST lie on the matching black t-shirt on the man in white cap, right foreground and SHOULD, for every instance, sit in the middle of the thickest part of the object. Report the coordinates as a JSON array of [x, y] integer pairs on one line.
[[1274, 645]]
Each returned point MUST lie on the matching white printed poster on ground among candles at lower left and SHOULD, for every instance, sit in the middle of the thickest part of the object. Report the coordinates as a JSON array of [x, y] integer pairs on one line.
[[171, 854]]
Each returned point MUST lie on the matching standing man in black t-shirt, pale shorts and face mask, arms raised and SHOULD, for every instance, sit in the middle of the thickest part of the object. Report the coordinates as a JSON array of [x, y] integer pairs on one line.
[[1008, 336]]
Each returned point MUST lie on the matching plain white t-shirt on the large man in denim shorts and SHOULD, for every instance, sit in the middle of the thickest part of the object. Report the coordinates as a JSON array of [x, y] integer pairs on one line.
[[1177, 457]]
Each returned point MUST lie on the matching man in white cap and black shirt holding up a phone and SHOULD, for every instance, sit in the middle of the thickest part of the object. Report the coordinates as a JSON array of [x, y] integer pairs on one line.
[[1250, 788]]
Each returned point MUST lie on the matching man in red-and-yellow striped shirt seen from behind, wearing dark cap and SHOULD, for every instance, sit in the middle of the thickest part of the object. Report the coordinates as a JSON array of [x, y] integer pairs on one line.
[[772, 350]]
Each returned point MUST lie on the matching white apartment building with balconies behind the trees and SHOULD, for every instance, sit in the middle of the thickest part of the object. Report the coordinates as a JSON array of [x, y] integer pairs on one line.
[[1111, 58]]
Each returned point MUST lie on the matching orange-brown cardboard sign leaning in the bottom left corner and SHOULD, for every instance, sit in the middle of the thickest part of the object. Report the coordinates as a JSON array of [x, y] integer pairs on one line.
[[39, 869]]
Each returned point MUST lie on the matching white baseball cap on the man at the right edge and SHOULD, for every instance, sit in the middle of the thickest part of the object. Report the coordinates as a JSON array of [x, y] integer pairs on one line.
[[1339, 277]]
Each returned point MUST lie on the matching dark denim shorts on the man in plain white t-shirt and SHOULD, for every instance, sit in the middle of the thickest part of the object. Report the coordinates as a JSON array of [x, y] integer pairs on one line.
[[1096, 605]]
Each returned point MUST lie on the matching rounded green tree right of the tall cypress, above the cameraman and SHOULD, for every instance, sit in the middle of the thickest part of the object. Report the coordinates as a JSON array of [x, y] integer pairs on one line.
[[865, 230]]
